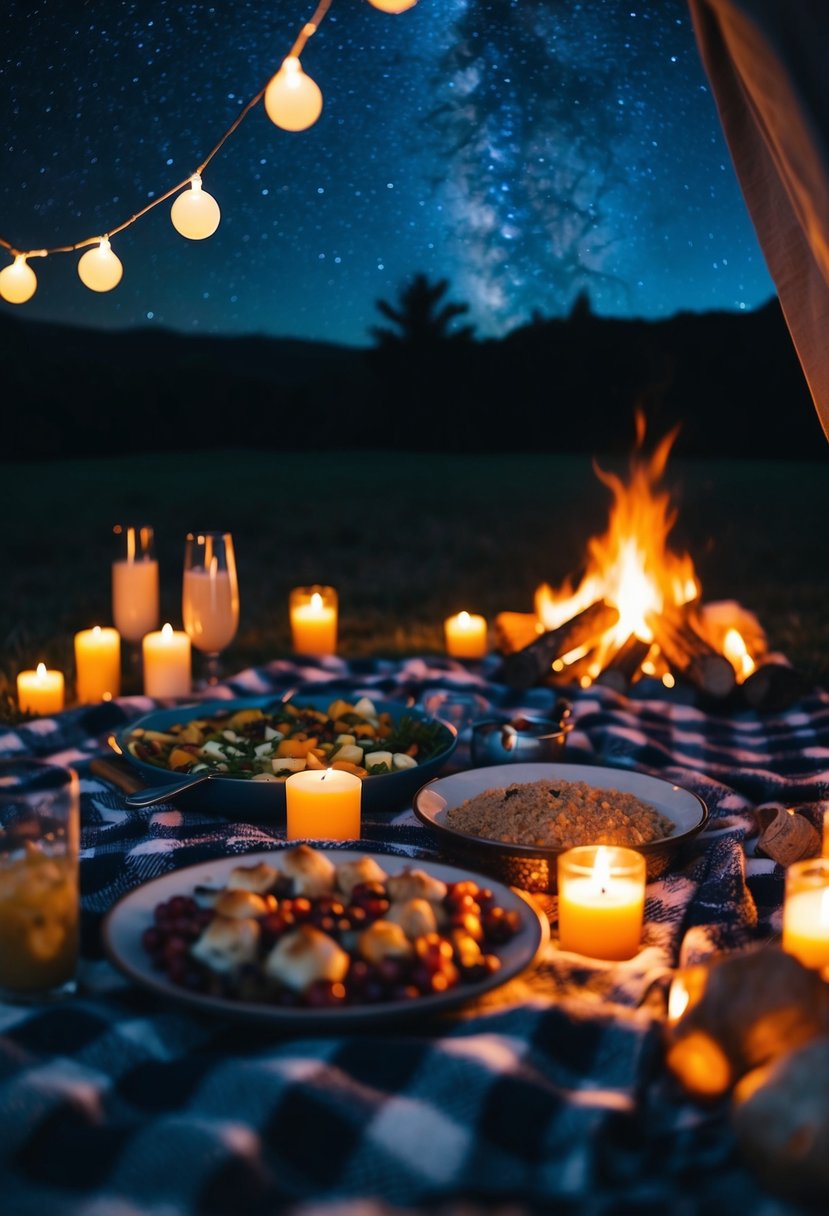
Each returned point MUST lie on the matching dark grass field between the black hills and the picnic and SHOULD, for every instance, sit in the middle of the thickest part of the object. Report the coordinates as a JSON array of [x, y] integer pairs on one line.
[[407, 541]]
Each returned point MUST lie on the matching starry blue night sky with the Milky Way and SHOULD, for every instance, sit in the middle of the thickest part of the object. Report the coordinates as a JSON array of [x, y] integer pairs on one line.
[[522, 150]]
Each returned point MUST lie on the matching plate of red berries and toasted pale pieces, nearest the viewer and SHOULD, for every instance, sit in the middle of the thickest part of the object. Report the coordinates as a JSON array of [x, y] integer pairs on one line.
[[307, 938]]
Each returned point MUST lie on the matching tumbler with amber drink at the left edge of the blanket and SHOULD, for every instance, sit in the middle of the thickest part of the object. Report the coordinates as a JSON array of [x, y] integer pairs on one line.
[[40, 893]]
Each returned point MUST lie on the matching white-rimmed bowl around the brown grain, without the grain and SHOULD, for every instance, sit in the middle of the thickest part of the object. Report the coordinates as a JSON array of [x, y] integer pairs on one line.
[[534, 869]]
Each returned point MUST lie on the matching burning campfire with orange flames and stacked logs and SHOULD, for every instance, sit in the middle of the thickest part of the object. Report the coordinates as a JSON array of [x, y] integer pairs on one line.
[[638, 611]]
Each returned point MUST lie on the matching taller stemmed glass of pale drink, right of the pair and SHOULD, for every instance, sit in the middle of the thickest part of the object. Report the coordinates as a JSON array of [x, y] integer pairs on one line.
[[211, 596]]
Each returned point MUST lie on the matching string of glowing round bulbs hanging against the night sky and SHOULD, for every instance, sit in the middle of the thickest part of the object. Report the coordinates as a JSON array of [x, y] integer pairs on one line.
[[292, 100]]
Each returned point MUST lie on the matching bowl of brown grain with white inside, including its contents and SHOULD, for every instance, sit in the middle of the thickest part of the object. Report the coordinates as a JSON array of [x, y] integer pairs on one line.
[[514, 821]]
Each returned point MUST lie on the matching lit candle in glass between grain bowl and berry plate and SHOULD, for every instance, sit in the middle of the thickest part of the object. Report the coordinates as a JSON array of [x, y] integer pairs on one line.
[[601, 900]]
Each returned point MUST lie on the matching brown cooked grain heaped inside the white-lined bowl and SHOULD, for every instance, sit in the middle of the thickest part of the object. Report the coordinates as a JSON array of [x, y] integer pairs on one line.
[[560, 815]]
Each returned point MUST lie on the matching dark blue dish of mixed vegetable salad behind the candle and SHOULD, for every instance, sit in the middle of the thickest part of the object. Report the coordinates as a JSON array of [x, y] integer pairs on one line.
[[251, 746]]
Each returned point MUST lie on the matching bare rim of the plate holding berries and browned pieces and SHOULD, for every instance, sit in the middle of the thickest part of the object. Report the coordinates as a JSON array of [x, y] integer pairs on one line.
[[127, 921]]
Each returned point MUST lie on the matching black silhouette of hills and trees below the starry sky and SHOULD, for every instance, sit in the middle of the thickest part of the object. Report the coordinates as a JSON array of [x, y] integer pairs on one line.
[[732, 381]]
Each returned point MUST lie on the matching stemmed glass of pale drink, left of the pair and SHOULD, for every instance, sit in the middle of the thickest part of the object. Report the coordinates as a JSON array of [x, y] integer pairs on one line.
[[136, 605]]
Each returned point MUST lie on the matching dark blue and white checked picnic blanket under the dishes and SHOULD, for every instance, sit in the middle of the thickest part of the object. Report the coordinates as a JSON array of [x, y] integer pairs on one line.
[[546, 1095]]
